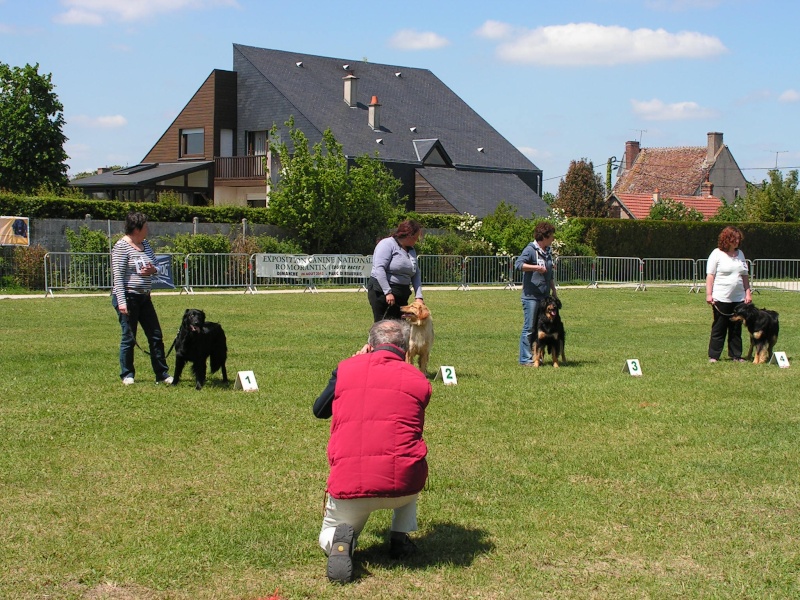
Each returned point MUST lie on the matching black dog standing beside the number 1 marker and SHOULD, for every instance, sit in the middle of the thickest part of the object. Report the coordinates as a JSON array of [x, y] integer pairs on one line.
[[198, 340]]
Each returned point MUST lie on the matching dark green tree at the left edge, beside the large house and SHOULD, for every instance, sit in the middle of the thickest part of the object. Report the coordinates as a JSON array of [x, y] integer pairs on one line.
[[31, 141]]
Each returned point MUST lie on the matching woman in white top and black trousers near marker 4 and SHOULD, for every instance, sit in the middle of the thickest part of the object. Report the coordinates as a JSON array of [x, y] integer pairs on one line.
[[727, 285]]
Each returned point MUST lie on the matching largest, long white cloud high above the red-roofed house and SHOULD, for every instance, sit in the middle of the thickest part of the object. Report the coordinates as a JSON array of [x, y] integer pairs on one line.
[[580, 44]]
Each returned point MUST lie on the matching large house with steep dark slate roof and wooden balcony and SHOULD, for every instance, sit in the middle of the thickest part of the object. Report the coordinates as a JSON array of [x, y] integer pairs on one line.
[[448, 158]]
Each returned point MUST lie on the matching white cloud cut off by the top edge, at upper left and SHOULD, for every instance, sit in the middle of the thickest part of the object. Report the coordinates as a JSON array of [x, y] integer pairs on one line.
[[95, 12]]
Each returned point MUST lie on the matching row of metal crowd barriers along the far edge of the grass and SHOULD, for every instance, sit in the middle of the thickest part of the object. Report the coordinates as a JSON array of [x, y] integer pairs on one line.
[[92, 271]]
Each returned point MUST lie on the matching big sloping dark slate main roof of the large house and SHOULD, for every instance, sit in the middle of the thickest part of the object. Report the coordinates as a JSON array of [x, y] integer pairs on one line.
[[409, 97]]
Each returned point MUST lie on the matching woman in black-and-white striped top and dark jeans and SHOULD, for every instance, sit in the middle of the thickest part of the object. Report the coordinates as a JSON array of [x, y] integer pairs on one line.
[[132, 266]]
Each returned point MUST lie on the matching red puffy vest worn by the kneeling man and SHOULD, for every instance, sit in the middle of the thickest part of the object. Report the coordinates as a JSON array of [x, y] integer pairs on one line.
[[376, 448]]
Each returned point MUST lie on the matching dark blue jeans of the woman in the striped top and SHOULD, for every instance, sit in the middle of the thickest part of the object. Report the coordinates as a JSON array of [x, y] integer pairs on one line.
[[140, 311]]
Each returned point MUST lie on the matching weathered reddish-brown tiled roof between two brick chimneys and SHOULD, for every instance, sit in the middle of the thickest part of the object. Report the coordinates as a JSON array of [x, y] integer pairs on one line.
[[673, 171]]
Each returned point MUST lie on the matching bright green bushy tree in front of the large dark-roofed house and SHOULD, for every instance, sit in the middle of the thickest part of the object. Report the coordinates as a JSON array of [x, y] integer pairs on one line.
[[329, 204]]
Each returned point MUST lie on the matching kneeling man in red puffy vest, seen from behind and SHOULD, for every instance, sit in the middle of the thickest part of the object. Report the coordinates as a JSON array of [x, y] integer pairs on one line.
[[376, 452]]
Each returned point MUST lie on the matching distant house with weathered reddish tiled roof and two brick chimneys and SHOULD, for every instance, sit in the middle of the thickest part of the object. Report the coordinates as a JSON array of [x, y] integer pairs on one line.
[[679, 174]]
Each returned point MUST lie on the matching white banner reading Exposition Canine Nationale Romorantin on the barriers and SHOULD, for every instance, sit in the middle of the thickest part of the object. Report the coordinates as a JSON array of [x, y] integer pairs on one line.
[[313, 266]]
